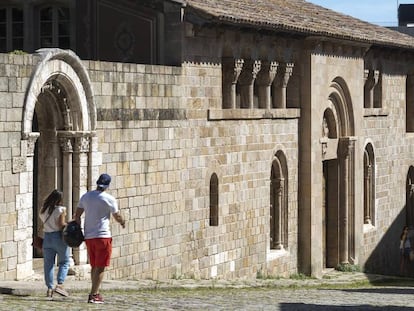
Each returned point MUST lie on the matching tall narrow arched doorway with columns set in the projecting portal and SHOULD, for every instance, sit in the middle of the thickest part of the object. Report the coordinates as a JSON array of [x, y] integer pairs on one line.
[[338, 210]]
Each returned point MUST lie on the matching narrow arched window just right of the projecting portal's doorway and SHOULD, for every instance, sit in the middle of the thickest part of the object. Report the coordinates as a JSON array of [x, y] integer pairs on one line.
[[369, 185]]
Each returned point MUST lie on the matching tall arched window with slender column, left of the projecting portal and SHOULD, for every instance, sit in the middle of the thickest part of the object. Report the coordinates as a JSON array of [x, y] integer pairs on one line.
[[278, 203]]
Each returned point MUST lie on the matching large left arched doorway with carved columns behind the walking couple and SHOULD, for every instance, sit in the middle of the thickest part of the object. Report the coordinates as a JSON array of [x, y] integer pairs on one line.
[[59, 121]]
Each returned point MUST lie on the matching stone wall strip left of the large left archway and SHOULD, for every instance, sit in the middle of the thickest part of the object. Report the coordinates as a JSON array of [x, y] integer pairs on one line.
[[15, 171]]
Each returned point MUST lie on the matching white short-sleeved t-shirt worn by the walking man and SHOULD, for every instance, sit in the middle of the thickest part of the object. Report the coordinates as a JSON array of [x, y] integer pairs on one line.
[[98, 207]]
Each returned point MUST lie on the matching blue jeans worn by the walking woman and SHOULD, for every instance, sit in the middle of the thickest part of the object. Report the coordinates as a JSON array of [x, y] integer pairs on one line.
[[53, 245]]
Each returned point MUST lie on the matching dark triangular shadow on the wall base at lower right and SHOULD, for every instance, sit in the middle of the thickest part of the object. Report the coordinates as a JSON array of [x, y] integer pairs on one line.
[[385, 258]]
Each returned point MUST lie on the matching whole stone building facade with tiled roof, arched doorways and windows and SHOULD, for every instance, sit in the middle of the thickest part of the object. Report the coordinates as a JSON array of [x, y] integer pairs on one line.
[[253, 140]]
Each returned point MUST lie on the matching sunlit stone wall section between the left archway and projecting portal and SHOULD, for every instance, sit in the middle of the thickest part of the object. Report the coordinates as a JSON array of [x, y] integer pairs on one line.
[[161, 149]]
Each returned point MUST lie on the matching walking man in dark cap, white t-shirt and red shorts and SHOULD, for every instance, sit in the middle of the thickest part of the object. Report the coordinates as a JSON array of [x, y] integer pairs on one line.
[[98, 206]]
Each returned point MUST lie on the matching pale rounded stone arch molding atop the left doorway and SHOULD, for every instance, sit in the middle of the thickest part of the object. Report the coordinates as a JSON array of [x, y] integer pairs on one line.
[[66, 68]]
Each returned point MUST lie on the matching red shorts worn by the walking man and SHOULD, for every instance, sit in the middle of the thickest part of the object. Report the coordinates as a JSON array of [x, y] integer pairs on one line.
[[99, 251]]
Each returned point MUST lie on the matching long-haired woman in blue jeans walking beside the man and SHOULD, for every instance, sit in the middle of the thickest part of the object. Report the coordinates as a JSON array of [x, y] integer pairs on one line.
[[53, 216]]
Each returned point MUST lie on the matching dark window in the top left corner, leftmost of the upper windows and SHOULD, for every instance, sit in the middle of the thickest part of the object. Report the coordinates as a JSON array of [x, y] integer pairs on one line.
[[11, 29]]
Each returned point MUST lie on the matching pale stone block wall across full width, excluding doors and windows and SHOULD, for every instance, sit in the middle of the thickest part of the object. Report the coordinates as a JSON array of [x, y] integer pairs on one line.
[[161, 134]]
